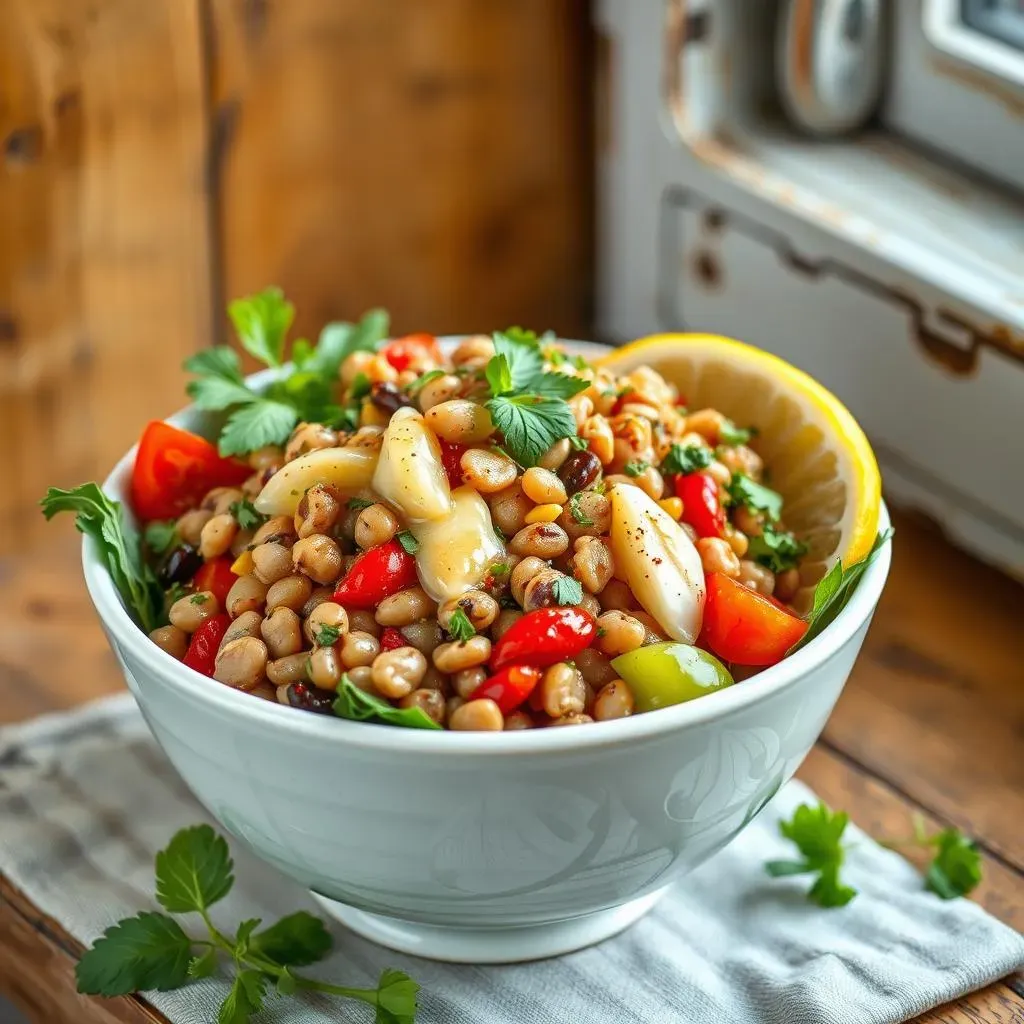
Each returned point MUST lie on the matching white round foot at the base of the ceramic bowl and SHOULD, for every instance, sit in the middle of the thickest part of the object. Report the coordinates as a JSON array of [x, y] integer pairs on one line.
[[480, 946]]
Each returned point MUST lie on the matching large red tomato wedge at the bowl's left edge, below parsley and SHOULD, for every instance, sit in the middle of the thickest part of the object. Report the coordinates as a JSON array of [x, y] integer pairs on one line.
[[175, 470]]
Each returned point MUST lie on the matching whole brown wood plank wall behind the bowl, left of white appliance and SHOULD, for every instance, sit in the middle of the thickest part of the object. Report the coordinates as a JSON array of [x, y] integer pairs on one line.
[[159, 157]]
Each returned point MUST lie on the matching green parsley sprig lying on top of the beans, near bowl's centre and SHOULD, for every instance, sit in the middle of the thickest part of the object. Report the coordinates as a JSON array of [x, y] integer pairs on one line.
[[529, 405]]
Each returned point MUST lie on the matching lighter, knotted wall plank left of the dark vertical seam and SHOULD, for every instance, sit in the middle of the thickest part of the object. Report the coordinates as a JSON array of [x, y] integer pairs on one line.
[[104, 269]]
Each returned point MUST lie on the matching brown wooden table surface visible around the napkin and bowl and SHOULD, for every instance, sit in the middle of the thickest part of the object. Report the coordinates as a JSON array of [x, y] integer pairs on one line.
[[932, 721]]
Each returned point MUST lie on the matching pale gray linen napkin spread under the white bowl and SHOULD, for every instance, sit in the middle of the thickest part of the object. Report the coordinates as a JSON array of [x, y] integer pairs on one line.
[[87, 799]]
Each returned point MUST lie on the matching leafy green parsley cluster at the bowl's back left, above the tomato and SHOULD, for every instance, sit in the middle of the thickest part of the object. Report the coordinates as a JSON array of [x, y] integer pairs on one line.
[[268, 417]]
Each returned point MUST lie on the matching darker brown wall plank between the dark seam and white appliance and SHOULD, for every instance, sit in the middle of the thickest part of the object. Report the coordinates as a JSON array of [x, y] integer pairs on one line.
[[434, 159]]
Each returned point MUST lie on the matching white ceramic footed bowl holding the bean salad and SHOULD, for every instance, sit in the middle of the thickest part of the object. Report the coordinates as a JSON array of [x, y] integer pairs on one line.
[[478, 847]]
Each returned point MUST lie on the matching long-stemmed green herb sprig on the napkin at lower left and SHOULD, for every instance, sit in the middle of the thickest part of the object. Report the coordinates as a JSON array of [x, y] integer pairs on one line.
[[152, 951]]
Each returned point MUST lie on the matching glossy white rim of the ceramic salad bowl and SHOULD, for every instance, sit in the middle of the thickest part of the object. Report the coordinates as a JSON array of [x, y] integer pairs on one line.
[[765, 685]]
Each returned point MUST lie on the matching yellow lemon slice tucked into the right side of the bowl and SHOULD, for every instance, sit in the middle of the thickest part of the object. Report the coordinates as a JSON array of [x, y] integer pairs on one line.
[[816, 453]]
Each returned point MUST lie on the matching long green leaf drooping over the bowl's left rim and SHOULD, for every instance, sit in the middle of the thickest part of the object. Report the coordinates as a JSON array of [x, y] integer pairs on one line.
[[103, 520]]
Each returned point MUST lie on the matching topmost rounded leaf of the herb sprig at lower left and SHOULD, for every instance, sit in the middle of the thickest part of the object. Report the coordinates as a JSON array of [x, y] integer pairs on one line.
[[194, 872]]
